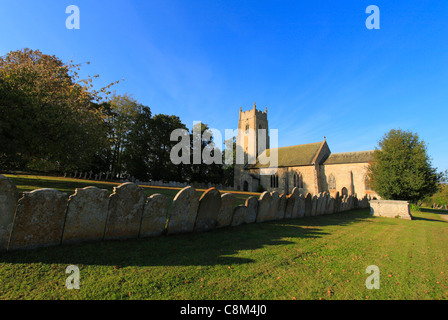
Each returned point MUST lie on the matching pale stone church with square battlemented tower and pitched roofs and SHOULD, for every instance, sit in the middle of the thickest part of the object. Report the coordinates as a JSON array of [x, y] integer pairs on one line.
[[311, 167]]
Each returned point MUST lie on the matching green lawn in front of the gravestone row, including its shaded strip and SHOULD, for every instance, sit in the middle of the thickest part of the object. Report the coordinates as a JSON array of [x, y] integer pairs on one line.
[[322, 257]]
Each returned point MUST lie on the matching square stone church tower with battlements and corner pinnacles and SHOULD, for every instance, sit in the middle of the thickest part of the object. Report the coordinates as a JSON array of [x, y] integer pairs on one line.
[[251, 125]]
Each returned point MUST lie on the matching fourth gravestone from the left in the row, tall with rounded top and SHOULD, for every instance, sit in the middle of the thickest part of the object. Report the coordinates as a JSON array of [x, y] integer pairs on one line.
[[125, 212]]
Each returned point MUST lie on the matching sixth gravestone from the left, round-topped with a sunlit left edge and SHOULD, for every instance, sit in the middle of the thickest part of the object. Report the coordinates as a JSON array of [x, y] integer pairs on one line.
[[183, 211]]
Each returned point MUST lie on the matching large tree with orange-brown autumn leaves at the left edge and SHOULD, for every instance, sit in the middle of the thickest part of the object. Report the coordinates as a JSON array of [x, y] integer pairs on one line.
[[47, 114]]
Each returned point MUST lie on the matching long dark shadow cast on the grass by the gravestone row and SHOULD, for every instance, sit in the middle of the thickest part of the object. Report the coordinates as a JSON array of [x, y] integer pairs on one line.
[[215, 247]]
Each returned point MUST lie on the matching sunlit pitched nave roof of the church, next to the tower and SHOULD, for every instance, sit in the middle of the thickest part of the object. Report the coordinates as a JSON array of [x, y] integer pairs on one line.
[[299, 155]]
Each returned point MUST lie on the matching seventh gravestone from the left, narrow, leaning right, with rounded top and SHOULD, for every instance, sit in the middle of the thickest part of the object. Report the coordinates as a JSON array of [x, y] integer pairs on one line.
[[209, 206]]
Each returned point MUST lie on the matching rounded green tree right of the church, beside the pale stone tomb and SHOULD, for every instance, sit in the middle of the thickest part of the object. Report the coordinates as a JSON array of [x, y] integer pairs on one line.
[[402, 169]]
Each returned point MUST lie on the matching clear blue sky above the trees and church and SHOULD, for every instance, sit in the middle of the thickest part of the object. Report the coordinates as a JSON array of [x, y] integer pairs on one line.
[[314, 64]]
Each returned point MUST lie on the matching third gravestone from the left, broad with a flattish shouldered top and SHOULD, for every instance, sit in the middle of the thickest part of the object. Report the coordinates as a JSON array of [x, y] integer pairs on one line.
[[86, 215]]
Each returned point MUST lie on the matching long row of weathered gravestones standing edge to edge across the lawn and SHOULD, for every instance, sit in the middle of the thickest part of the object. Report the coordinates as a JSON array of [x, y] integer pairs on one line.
[[46, 217]]
